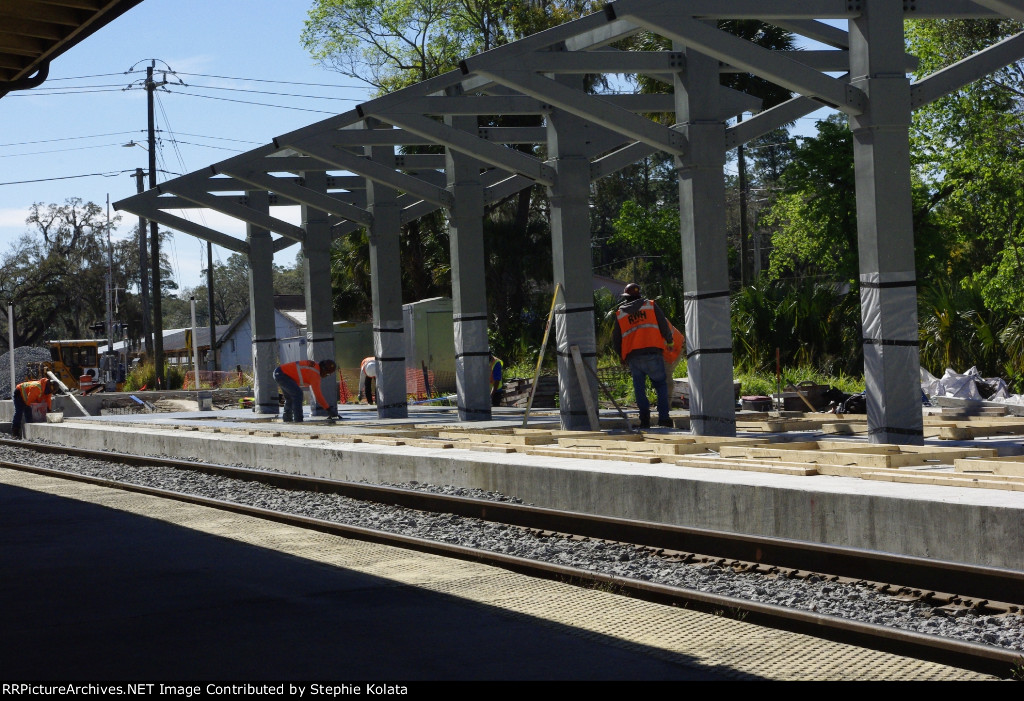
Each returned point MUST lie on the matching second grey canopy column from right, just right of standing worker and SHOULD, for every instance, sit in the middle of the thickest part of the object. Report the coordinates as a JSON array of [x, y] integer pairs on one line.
[[706, 271]]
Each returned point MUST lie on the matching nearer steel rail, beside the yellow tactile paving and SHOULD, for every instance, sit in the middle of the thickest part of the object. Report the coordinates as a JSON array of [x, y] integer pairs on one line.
[[986, 660]]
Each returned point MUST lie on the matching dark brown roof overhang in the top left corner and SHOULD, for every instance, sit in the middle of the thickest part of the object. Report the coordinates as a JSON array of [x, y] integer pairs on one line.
[[34, 33]]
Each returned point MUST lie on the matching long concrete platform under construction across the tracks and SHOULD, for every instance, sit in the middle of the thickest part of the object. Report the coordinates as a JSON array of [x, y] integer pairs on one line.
[[976, 527]]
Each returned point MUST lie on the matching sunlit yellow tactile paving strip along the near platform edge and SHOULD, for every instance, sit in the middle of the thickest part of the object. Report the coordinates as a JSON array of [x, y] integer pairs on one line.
[[730, 647]]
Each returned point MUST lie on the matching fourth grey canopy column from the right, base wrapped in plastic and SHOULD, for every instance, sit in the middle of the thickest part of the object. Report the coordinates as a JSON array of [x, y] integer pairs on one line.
[[470, 298]]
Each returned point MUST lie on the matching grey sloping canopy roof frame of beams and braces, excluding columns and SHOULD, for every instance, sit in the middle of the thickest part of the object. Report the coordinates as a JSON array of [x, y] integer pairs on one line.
[[330, 166]]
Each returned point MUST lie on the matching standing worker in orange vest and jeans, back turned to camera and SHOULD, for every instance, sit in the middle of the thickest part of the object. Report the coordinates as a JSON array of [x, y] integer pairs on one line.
[[642, 336]]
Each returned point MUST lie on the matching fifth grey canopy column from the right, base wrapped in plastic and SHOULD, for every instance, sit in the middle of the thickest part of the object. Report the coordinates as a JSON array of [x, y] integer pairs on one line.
[[386, 271]]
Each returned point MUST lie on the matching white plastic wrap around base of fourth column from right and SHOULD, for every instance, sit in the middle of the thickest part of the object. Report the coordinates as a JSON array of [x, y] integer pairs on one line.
[[473, 367]]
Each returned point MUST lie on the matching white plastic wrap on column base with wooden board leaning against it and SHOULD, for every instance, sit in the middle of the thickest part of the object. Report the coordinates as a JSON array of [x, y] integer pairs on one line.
[[575, 326]]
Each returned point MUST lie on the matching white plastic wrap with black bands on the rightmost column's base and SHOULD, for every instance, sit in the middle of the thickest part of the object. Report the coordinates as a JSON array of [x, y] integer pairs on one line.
[[892, 360]]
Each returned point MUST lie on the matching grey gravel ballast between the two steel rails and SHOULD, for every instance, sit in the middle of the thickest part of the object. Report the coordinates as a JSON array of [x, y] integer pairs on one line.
[[848, 601]]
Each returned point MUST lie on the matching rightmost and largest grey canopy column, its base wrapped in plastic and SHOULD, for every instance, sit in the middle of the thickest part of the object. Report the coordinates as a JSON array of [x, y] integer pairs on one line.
[[885, 227]]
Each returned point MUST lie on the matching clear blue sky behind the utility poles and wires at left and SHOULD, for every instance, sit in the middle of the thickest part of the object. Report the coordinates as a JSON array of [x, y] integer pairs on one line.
[[224, 51]]
